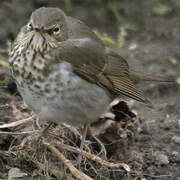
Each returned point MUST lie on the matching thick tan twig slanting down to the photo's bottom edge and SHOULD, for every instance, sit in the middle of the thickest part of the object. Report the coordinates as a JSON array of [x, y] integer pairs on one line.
[[78, 174]]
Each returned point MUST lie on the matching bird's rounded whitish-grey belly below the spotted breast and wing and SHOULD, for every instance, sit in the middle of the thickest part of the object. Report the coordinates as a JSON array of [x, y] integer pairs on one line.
[[65, 97]]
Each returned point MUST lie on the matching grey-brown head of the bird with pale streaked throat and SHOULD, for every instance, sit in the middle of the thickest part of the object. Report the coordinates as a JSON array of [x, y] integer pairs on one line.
[[46, 28]]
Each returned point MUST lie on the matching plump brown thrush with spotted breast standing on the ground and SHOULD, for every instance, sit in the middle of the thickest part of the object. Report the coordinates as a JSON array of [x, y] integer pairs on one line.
[[65, 73]]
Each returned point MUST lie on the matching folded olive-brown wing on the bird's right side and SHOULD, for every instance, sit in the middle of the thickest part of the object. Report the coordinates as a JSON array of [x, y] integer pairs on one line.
[[100, 65]]
